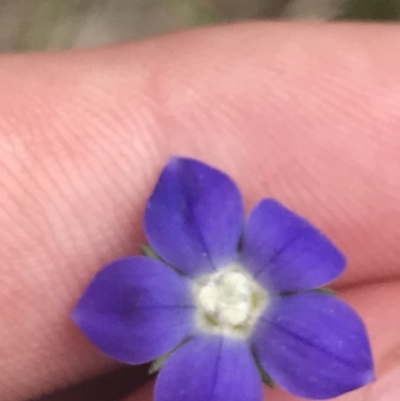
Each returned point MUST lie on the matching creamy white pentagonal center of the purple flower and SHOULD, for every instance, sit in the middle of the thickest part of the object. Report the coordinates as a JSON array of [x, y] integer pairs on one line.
[[229, 302]]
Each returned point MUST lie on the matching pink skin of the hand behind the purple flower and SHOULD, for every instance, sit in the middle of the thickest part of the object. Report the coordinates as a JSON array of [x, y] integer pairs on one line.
[[305, 113]]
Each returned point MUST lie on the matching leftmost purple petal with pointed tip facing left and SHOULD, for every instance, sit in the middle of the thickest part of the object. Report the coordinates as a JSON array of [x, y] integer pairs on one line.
[[136, 309]]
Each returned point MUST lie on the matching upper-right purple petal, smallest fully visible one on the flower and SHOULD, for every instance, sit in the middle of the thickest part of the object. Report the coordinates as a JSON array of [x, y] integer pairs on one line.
[[285, 252]]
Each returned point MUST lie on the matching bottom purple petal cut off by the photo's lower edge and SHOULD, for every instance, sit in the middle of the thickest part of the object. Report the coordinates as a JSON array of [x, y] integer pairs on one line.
[[210, 369]]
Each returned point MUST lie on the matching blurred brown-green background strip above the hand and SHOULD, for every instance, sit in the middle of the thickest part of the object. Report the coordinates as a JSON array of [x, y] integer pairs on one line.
[[58, 24]]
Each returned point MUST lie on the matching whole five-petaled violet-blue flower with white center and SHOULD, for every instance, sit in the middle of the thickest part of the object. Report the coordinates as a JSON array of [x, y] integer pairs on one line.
[[227, 300]]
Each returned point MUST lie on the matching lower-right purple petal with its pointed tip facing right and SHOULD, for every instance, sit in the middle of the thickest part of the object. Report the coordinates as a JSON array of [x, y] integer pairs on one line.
[[314, 346]]
